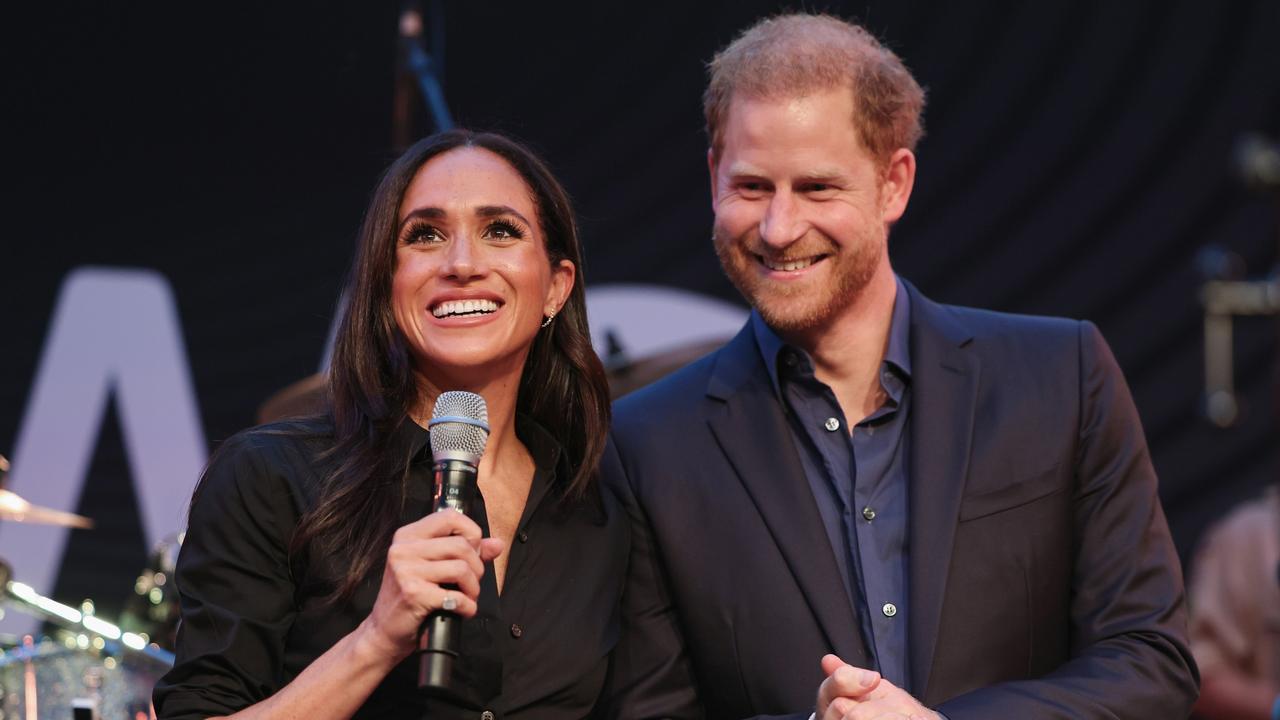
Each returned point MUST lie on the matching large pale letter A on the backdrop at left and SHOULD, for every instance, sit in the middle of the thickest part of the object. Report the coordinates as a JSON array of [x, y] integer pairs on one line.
[[115, 331]]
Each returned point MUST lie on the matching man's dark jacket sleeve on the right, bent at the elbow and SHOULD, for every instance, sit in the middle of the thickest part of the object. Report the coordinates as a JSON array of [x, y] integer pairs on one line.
[[1130, 653]]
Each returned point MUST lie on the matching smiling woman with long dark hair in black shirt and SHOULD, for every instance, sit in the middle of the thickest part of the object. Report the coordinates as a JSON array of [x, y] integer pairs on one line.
[[312, 559]]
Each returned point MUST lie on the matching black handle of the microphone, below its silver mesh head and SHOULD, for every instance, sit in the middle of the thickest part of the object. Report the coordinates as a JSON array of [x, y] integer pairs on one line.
[[442, 632]]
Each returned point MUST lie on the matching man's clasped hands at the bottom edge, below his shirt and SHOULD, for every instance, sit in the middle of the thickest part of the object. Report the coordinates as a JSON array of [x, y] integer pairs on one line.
[[854, 694]]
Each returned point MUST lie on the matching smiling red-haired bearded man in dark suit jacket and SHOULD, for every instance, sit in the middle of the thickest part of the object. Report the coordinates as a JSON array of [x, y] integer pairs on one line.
[[868, 504]]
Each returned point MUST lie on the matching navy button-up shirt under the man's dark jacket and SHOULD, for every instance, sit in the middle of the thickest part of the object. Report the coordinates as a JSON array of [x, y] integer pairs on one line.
[[860, 481]]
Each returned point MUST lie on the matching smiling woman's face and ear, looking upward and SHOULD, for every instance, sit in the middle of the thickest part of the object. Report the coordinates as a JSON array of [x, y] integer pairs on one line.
[[473, 279]]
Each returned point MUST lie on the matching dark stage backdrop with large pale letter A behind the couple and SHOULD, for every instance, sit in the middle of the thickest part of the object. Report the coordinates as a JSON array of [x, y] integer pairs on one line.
[[185, 186]]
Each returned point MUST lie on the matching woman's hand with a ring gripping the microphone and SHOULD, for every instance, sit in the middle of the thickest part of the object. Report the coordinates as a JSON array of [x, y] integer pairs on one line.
[[444, 549]]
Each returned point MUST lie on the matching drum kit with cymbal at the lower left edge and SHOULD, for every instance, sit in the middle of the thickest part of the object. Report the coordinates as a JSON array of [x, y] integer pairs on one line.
[[84, 667]]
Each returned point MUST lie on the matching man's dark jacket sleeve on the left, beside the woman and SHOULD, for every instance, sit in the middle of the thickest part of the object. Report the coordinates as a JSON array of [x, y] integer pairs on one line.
[[650, 671]]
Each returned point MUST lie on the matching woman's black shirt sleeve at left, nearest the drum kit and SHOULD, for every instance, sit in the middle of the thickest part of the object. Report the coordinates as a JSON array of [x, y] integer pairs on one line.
[[235, 587]]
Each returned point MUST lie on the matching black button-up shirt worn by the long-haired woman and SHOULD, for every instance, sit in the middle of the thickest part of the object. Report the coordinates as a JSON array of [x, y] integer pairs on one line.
[[253, 617]]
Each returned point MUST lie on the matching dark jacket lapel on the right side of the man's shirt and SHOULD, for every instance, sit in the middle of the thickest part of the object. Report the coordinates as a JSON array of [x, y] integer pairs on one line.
[[944, 393]]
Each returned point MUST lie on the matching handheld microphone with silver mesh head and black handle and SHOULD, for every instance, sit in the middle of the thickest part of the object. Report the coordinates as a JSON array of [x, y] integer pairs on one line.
[[460, 430]]
